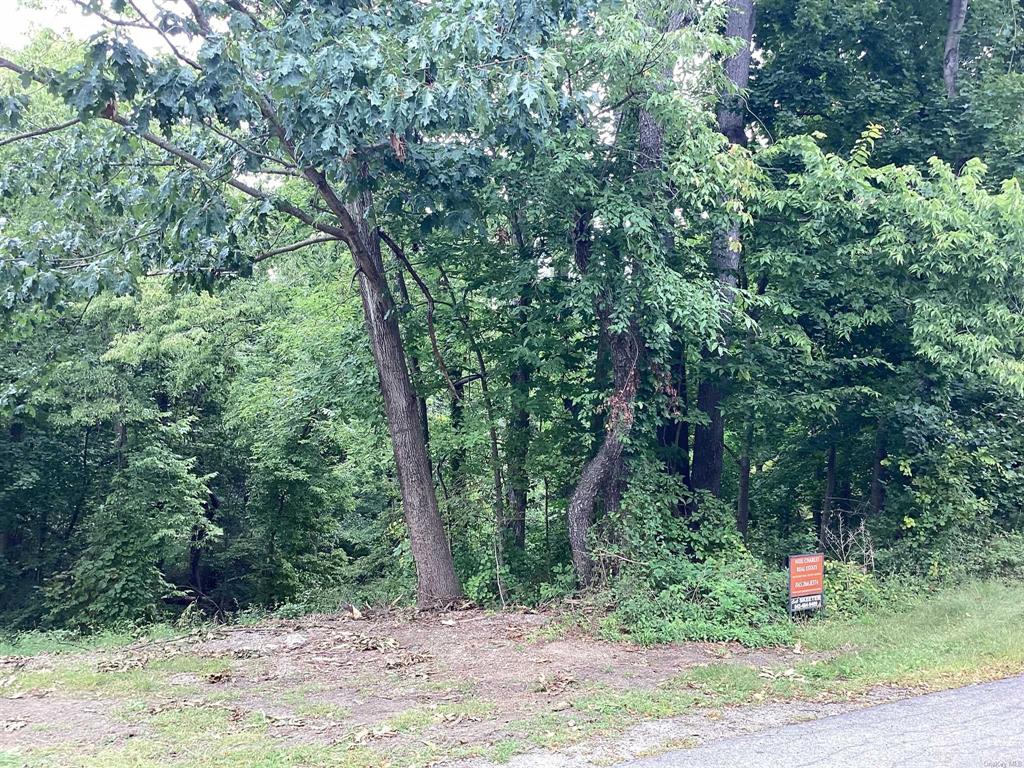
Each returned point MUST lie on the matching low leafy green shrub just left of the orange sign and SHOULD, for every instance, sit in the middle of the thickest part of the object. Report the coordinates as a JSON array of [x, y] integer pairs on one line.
[[677, 601]]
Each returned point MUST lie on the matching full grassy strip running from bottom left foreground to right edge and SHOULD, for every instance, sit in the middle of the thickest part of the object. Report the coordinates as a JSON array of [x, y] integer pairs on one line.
[[956, 637]]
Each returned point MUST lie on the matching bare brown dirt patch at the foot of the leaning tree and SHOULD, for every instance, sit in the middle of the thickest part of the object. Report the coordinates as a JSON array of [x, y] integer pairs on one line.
[[505, 657]]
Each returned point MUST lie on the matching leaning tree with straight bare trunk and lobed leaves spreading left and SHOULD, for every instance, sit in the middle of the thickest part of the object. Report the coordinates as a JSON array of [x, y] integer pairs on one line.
[[336, 98]]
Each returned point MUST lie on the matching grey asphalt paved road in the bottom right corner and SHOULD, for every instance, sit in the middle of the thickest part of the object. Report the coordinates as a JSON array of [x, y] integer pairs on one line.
[[982, 727]]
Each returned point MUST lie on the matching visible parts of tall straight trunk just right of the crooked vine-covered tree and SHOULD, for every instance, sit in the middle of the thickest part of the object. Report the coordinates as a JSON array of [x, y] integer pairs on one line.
[[709, 440]]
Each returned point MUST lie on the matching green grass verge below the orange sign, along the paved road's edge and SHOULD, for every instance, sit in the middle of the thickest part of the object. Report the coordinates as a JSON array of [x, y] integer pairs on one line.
[[970, 634]]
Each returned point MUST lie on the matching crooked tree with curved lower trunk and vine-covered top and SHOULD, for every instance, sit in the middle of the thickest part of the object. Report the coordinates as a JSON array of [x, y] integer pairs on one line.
[[623, 240]]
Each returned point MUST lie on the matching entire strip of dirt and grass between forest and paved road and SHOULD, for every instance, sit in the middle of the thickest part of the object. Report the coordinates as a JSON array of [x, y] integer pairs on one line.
[[472, 689]]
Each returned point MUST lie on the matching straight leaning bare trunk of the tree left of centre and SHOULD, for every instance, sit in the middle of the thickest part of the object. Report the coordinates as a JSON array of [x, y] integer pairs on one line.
[[438, 584]]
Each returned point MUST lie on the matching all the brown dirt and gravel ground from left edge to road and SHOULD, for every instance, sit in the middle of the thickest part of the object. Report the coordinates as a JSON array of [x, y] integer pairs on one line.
[[470, 684]]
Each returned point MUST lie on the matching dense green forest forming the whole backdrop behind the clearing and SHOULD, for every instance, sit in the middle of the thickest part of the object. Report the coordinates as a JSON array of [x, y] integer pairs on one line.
[[309, 303]]
